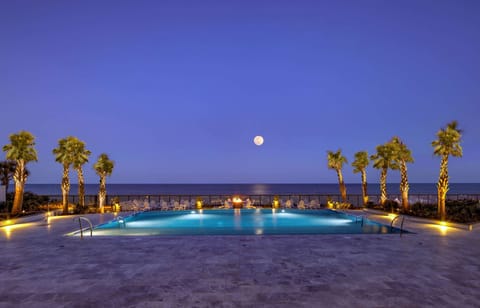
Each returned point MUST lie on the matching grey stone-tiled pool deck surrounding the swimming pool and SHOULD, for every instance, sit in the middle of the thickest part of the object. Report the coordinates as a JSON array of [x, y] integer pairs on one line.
[[436, 266]]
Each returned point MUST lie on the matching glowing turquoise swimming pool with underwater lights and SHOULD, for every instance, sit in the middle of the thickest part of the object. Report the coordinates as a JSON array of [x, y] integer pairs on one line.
[[241, 222]]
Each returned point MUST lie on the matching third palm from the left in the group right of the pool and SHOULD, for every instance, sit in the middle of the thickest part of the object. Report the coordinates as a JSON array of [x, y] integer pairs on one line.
[[384, 160]]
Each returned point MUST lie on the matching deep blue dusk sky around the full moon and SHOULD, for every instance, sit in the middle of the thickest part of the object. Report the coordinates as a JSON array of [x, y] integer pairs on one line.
[[175, 91]]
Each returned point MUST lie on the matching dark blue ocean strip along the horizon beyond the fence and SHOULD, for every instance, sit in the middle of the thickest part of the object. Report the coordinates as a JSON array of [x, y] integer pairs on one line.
[[247, 189]]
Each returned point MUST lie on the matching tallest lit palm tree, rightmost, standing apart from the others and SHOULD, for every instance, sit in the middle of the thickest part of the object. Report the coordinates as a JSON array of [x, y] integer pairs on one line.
[[446, 144]]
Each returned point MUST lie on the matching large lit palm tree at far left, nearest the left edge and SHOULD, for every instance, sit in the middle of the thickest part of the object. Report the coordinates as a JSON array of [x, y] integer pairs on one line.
[[21, 150]]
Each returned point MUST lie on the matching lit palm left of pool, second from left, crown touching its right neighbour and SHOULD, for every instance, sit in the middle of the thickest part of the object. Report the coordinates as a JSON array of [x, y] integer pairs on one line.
[[63, 155]]
